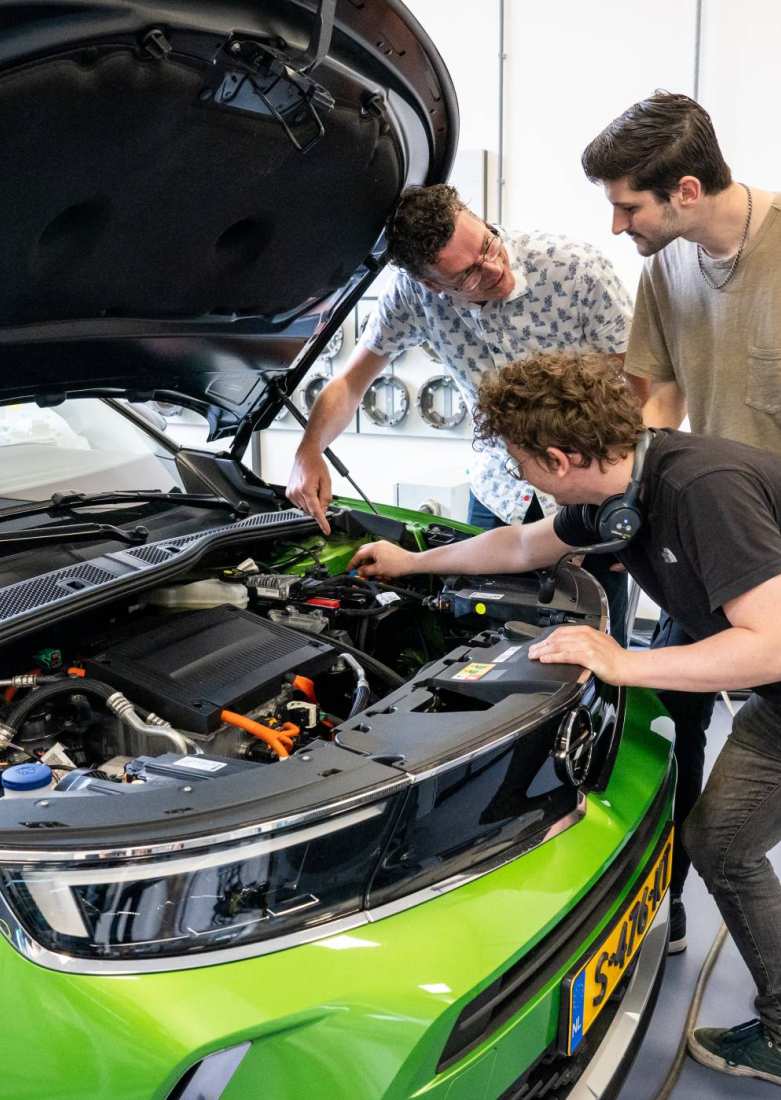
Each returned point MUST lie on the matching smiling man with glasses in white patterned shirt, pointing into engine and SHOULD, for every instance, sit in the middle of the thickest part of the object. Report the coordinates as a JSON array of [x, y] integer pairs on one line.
[[481, 298]]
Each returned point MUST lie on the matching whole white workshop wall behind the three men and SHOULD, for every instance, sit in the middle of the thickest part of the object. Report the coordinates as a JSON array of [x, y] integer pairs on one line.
[[570, 68]]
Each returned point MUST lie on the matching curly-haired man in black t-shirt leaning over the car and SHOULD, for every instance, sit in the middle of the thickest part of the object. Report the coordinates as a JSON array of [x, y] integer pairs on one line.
[[709, 552]]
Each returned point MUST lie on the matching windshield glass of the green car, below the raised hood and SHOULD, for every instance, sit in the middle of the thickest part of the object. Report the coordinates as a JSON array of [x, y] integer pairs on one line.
[[83, 445]]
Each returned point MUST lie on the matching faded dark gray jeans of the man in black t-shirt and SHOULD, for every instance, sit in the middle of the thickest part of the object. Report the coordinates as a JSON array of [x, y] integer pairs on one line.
[[733, 827]]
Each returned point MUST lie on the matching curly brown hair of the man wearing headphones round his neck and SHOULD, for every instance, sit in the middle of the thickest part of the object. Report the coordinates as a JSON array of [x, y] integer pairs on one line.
[[577, 403]]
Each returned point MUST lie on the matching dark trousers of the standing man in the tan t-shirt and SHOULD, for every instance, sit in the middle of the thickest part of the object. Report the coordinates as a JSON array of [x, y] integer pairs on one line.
[[691, 713]]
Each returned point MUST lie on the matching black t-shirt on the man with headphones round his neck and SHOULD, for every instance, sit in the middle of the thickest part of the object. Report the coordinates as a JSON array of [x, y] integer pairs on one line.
[[711, 530]]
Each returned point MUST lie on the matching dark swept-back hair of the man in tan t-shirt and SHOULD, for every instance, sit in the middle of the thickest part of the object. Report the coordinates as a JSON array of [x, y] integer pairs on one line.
[[655, 144]]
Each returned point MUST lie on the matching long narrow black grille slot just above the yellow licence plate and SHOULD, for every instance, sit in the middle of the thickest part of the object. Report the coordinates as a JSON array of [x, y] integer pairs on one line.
[[509, 994]]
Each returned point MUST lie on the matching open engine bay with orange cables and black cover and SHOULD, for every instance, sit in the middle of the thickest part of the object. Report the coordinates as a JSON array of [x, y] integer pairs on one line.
[[245, 663]]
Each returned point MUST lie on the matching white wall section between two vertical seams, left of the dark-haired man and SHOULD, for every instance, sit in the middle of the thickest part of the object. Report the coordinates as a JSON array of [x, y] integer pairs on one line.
[[573, 68]]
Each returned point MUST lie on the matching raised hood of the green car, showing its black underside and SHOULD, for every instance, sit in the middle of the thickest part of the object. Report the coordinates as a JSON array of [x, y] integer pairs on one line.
[[195, 192]]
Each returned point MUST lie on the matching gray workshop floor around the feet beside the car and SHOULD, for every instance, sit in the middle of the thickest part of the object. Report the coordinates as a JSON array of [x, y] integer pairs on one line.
[[729, 999]]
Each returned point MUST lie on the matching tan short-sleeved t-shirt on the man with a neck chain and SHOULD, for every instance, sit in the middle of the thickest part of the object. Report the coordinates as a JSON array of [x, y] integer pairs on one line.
[[723, 348]]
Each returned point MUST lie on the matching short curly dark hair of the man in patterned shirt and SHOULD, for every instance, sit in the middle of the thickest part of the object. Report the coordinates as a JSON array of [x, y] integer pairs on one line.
[[421, 226]]
